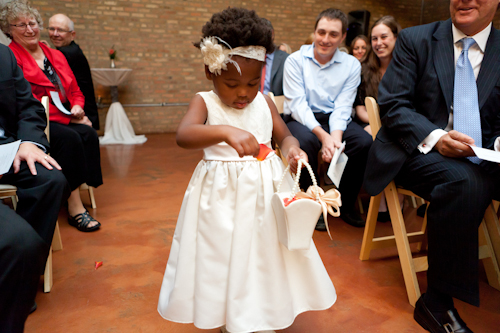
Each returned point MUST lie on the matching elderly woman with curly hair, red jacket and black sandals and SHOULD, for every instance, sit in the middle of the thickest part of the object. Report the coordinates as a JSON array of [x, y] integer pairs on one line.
[[74, 143]]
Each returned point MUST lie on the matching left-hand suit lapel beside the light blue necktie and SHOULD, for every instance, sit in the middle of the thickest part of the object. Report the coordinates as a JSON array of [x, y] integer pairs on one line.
[[444, 60]]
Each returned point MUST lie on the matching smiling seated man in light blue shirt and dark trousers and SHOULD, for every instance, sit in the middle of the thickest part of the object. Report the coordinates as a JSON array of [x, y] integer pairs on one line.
[[320, 85]]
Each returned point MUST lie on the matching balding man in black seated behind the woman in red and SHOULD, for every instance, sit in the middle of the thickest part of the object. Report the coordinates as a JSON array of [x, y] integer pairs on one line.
[[62, 34]]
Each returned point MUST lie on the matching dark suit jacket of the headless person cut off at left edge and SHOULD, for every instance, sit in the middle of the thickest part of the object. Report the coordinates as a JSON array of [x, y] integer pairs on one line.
[[22, 117]]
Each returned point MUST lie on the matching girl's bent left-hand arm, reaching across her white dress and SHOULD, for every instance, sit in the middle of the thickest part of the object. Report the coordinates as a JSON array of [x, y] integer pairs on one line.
[[192, 132]]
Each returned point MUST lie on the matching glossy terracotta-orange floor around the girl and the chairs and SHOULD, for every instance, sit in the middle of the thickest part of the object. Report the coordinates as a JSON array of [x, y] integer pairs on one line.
[[138, 206]]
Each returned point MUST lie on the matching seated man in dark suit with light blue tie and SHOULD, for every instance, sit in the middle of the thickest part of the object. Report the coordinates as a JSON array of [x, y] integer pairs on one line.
[[421, 146]]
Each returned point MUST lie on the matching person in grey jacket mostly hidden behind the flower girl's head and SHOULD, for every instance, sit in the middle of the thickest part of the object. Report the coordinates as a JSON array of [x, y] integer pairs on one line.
[[272, 79]]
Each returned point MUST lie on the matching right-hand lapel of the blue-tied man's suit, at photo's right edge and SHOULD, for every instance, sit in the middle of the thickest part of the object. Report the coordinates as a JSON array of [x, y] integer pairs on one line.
[[490, 67]]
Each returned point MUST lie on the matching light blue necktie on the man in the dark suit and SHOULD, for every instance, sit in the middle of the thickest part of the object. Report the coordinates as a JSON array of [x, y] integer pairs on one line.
[[466, 118]]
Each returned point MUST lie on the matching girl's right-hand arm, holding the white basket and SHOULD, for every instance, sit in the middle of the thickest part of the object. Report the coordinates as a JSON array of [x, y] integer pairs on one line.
[[288, 144]]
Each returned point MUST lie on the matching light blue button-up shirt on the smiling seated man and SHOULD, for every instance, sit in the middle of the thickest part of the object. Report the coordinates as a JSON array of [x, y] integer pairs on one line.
[[310, 87]]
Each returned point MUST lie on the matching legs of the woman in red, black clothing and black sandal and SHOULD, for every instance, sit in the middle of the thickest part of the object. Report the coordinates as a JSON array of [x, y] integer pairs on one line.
[[76, 148]]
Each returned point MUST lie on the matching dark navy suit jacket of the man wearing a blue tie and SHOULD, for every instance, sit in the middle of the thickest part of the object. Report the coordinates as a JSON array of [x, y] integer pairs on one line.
[[416, 96]]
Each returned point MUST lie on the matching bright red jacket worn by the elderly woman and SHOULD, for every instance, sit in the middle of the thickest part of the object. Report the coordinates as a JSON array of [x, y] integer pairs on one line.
[[40, 84]]
